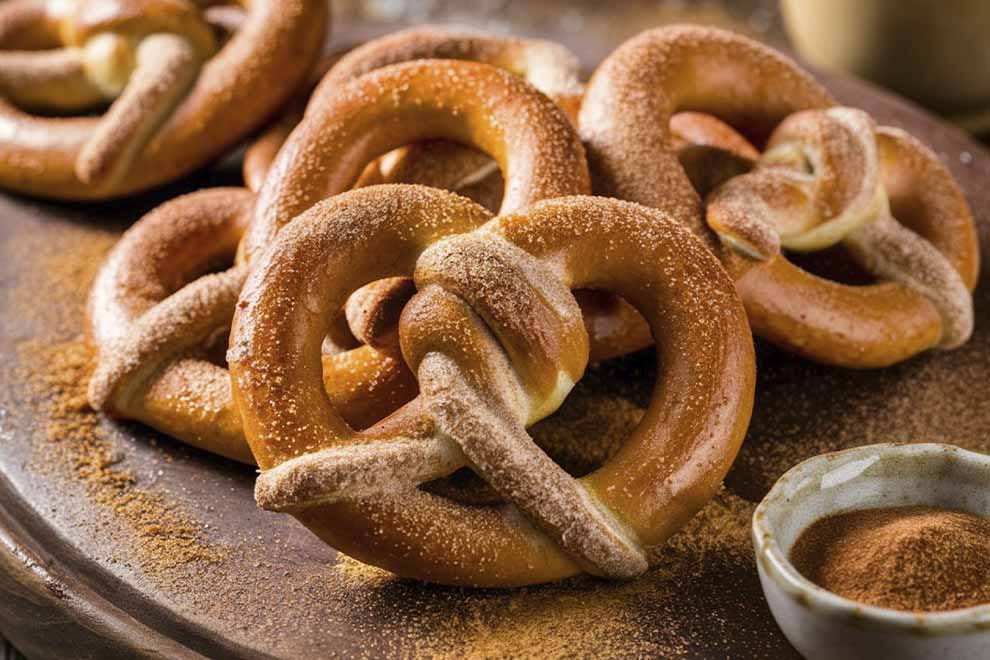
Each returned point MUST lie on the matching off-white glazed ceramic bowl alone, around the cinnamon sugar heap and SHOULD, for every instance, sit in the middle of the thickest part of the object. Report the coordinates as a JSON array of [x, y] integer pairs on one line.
[[821, 624]]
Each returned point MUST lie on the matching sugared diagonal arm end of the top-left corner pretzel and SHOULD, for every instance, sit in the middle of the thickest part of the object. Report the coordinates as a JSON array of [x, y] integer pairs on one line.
[[167, 66]]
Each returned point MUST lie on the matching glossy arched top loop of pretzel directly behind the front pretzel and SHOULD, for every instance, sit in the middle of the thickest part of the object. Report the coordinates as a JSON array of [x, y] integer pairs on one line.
[[472, 103]]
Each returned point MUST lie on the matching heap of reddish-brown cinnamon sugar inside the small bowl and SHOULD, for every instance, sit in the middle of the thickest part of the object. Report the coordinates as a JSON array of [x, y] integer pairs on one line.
[[916, 558]]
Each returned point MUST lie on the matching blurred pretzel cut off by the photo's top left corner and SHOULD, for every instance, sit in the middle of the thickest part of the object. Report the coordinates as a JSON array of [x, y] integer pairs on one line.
[[178, 98]]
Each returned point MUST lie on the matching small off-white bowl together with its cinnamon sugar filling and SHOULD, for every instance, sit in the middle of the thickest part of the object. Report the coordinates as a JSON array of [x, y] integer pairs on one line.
[[871, 553]]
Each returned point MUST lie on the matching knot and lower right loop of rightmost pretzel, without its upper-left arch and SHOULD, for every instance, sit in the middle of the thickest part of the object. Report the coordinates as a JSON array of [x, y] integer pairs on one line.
[[923, 298]]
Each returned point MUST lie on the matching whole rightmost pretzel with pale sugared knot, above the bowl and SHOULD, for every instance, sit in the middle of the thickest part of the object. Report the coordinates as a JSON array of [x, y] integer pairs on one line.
[[624, 122]]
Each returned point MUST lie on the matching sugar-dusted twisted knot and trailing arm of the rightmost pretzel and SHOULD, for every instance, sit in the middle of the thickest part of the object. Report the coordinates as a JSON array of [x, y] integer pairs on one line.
[[818, 183]]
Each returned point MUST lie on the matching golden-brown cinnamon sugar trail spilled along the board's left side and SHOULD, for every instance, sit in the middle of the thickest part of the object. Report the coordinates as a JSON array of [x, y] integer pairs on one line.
[[54, 367]]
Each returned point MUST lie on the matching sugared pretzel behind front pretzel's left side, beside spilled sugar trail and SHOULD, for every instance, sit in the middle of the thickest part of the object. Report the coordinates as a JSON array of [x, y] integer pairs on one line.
[[156, 320]]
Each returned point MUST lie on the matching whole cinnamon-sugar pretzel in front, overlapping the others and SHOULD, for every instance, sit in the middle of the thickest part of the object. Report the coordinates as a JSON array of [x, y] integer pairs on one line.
[[496, 341]]
